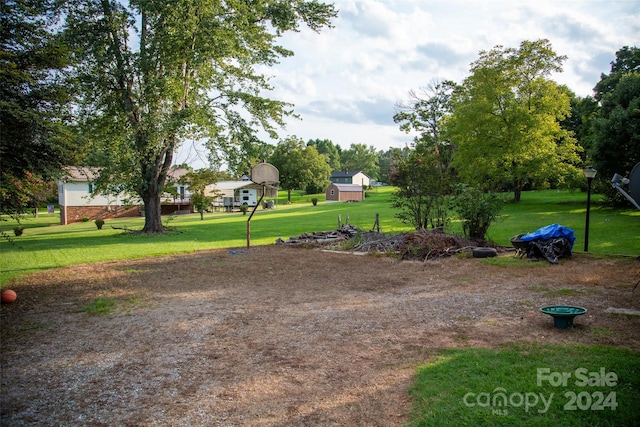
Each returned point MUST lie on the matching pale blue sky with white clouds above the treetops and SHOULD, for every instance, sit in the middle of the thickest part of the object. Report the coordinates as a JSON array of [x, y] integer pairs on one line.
[[346, 82]]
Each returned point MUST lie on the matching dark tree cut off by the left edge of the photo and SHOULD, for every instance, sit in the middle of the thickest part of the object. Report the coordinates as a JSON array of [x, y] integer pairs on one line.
[[34, 107]]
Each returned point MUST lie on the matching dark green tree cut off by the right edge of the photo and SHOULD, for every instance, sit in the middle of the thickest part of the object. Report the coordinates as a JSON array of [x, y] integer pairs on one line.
[[616, 129]]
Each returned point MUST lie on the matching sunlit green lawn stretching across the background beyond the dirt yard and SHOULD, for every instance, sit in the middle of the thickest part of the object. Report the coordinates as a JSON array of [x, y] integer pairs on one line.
[[45, 244]]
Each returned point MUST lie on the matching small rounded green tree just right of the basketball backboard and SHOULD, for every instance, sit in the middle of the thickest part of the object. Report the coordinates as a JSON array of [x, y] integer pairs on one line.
[[300, 165]]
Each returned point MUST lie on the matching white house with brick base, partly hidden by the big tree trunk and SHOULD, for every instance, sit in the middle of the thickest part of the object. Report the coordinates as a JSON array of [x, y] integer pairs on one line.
[[78, 199]]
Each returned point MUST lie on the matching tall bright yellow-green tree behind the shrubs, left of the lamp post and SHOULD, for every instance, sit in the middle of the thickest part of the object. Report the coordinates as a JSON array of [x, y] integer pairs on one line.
[[506, 121]]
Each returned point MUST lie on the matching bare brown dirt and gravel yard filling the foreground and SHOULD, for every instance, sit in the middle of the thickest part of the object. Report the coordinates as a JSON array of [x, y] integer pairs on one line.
[[279, 336]]
